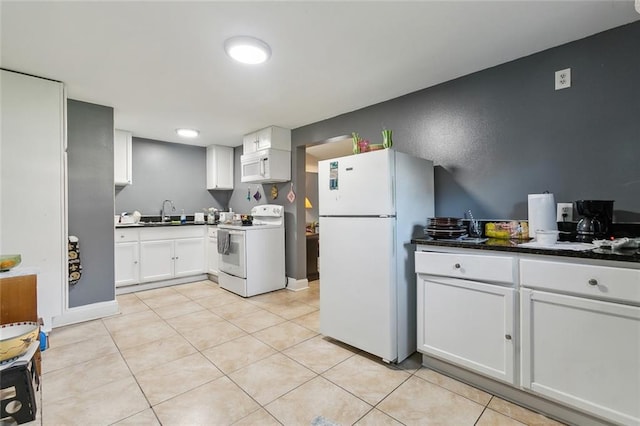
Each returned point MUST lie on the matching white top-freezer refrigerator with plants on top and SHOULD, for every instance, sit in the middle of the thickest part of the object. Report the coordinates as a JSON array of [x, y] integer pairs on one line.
[[371, 205]]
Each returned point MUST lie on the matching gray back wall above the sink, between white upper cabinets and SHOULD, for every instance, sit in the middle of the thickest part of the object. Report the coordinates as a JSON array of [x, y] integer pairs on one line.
[[168, 171]]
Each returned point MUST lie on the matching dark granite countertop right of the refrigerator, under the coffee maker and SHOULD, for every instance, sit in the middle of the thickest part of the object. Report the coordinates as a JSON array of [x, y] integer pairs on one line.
[[494, 244]]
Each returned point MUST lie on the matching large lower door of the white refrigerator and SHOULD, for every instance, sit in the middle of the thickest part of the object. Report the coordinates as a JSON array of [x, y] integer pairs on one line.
[[358, 288]]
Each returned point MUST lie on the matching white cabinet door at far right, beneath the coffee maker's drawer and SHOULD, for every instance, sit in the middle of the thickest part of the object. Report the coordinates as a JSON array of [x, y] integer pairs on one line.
[[583, 352]]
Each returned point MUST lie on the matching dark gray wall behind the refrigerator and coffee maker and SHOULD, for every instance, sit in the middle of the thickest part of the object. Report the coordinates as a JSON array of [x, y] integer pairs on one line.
[[504, 132]]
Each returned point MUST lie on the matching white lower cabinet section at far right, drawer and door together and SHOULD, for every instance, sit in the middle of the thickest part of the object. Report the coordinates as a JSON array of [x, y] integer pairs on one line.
[[577, 349]]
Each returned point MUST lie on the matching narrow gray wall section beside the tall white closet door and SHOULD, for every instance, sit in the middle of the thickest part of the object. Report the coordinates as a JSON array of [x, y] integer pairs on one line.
[[90, 199]]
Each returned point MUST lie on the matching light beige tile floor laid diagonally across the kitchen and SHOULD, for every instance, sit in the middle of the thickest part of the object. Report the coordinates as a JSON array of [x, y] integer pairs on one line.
[[195, 354]]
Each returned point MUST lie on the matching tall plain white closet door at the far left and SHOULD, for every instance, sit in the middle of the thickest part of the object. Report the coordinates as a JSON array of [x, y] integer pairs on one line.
[[33, 173]]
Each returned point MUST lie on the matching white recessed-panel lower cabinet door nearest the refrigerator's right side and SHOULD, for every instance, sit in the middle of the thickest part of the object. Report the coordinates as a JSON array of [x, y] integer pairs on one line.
[[468, 323]]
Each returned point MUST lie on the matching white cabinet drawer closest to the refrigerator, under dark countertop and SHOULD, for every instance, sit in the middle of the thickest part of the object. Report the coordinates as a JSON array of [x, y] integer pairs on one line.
[[466, 266]]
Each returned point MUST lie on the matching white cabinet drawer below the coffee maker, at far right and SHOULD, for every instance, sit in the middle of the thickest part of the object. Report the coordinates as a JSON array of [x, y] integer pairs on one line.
[[602, 282]]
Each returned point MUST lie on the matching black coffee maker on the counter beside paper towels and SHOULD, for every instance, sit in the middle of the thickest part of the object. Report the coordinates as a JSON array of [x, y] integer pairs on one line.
[[597, 216]]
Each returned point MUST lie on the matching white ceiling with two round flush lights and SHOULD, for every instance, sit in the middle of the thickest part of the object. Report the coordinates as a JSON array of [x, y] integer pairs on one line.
[[161, 65]]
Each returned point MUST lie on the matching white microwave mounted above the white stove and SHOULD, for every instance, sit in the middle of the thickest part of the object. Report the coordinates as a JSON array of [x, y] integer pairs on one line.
[[268, 165]]
